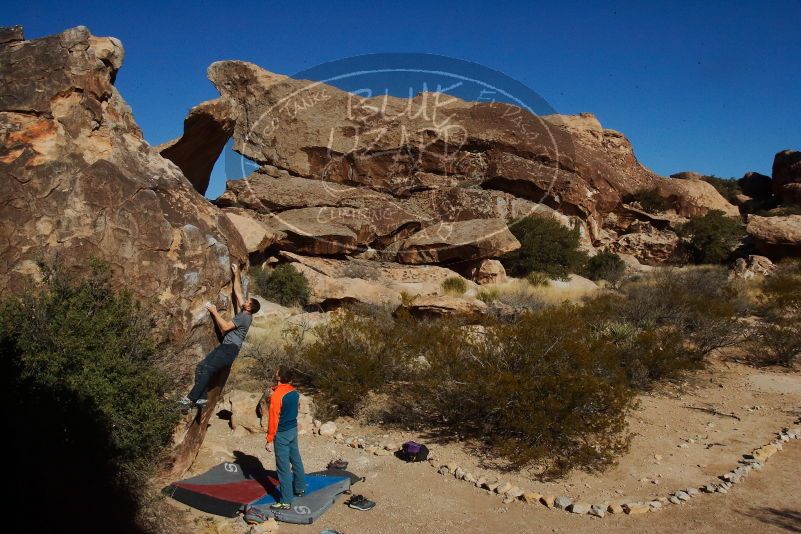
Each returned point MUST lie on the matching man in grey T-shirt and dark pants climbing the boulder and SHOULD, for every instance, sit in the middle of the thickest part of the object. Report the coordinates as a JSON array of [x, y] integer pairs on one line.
[[226, 352]]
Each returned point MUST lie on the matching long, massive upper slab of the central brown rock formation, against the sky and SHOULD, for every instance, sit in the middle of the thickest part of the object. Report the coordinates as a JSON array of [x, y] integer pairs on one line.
[[400, 146]]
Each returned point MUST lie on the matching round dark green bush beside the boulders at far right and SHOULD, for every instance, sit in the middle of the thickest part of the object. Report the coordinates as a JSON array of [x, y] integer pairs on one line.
[[713, 236]]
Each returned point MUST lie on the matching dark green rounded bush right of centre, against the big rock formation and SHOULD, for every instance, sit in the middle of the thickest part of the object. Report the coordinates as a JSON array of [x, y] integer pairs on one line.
[[545, 246]]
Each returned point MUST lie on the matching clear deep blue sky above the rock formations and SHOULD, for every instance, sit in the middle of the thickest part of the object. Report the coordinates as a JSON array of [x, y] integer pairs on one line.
[[708, 86]]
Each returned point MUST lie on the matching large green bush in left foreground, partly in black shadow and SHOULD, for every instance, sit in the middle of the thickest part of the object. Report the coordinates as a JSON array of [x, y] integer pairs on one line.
[[84, 394]]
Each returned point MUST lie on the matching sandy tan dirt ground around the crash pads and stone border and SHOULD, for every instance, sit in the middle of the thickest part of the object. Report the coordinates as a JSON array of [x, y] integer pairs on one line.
[[675, 446]]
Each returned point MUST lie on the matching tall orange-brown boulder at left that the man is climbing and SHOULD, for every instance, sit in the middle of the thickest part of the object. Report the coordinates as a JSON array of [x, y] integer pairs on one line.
[[78, 180]]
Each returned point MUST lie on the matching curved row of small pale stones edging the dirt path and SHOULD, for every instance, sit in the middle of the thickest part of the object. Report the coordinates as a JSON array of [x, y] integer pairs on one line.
[[755, 460]]
